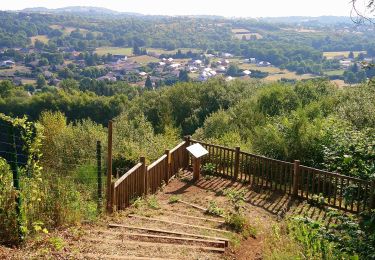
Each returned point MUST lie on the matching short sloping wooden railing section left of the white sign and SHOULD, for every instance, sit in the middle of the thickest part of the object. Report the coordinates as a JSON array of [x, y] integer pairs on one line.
[[142, 179]]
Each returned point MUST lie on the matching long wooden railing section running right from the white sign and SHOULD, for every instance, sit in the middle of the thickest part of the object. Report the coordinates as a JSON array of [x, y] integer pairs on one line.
[[322, 187]]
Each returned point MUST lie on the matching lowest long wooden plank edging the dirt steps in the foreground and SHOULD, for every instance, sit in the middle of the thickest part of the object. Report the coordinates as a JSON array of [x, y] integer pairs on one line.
[[142, 243]]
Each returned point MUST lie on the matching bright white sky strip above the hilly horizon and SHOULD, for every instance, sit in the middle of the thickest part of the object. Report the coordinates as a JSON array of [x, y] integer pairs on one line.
[[231, 8]]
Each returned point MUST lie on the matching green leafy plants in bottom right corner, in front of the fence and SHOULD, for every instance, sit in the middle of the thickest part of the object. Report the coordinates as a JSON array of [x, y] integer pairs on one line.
[[350, 238]]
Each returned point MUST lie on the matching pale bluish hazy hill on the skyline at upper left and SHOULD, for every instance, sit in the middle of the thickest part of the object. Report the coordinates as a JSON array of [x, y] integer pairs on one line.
[[88, 10]]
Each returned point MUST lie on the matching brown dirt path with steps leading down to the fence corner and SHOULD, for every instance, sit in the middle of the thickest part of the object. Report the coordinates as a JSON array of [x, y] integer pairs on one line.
[[99, 241]]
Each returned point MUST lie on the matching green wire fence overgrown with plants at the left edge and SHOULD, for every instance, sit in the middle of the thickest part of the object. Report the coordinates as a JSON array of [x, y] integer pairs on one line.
[[58, 191]]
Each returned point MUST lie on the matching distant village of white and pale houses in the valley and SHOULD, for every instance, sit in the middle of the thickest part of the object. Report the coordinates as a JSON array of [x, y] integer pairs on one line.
[[161, 69]]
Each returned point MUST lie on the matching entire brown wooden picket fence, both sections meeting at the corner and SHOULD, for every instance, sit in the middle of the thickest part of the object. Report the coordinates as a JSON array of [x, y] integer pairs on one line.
[[333, 189]]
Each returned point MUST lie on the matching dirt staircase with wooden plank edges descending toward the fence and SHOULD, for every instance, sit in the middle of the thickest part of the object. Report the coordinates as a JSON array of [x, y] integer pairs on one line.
[[174, 231]]
